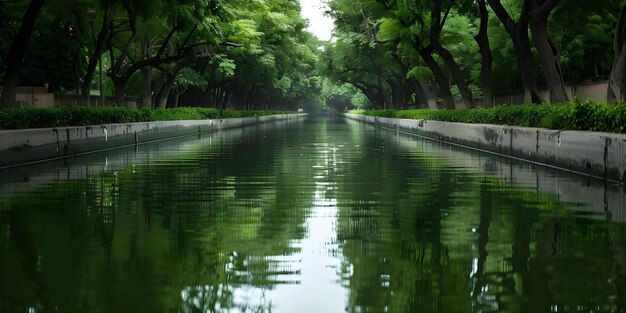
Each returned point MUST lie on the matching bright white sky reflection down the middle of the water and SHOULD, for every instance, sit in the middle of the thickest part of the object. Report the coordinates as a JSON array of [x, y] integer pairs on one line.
[[315, 287]]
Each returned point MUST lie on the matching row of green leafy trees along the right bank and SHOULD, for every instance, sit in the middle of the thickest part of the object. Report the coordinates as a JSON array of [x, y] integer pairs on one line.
[[403, 53]]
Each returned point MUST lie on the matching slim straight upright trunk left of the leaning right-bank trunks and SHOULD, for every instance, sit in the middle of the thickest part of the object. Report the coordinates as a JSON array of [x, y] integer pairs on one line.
[[482, 39]]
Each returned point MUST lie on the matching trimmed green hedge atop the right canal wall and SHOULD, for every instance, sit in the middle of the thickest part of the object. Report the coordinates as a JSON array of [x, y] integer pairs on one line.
[[588, 116]]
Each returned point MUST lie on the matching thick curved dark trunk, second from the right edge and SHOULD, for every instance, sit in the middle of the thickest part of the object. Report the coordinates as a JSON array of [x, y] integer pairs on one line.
[[548, 51]]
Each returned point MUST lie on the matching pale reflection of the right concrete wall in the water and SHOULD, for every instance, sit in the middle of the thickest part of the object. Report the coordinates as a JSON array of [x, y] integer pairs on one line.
[[588, 197]]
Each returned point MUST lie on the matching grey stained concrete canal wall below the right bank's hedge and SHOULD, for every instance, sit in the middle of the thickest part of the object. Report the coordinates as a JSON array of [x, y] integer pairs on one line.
[[592, 153]]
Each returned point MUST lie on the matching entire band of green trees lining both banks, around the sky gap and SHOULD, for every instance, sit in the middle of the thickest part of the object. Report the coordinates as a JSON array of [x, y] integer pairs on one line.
[[253, 54]]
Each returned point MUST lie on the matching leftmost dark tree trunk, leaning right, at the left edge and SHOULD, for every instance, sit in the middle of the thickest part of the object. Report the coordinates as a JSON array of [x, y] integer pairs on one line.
[[16, 53]]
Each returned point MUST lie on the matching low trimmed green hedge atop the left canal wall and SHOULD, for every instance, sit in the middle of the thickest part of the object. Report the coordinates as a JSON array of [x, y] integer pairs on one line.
[[19, 118]]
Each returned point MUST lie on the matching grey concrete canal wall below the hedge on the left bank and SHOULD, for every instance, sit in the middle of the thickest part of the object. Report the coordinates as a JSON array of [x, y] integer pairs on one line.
[[18, 147]]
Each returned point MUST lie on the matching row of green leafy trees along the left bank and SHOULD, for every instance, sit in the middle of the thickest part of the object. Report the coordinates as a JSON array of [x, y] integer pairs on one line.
[[241, 54]]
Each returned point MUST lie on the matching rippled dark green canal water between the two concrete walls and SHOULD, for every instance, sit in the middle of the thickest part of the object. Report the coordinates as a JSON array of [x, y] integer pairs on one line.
[[318, 215]]
